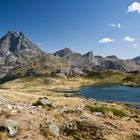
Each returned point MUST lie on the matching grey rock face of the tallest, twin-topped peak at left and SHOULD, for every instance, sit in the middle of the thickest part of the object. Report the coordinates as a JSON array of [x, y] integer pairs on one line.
[[15, 49]]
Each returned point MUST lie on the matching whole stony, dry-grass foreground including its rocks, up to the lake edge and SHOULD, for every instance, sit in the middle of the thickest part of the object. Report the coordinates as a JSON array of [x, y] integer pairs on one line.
[[61, 116]]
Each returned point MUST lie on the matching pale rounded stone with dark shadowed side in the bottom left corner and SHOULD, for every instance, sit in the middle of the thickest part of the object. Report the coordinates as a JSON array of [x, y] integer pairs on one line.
[[10, 126]]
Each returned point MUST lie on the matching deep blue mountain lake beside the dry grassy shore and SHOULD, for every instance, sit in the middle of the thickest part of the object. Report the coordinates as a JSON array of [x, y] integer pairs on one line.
[[113, 93]]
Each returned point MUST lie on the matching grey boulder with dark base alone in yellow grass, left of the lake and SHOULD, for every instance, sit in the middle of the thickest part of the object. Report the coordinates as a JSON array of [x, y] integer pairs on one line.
[[43, 102]]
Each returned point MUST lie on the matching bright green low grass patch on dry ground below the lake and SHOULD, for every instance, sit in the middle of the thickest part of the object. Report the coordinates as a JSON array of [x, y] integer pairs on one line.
[[105, 110]]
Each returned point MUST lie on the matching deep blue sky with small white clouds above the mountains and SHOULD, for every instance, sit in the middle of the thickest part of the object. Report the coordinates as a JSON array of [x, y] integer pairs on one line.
[[105, 26]]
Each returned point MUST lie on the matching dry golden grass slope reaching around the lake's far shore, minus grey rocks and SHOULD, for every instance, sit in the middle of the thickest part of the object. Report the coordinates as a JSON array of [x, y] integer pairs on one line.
[[111, 127]]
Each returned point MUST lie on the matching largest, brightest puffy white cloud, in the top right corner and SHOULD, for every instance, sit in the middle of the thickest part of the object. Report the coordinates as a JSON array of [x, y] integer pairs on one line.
[[134, 7]]
